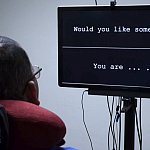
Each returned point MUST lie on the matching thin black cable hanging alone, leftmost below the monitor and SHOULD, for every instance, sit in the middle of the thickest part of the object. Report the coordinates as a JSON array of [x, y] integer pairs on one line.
[[83, 117]]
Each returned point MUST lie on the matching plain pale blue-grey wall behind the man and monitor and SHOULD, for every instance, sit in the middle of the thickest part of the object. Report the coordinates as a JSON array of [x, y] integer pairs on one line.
[[33, 23]]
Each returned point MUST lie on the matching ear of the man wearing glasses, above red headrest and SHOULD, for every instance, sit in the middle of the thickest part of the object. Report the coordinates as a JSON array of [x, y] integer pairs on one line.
[[31, 93]]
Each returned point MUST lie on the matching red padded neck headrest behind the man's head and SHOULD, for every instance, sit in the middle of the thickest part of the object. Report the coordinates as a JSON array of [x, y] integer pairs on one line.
[[31, 126]]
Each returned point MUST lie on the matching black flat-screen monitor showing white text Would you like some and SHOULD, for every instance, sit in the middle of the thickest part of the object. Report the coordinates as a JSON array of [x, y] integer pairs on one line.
[[105, 48]]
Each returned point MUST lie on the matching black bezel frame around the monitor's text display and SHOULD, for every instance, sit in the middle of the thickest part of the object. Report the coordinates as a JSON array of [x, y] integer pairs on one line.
[[114, 90]]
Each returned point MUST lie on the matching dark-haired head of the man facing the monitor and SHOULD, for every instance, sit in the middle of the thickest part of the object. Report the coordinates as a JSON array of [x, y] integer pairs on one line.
[[16, 75]]
